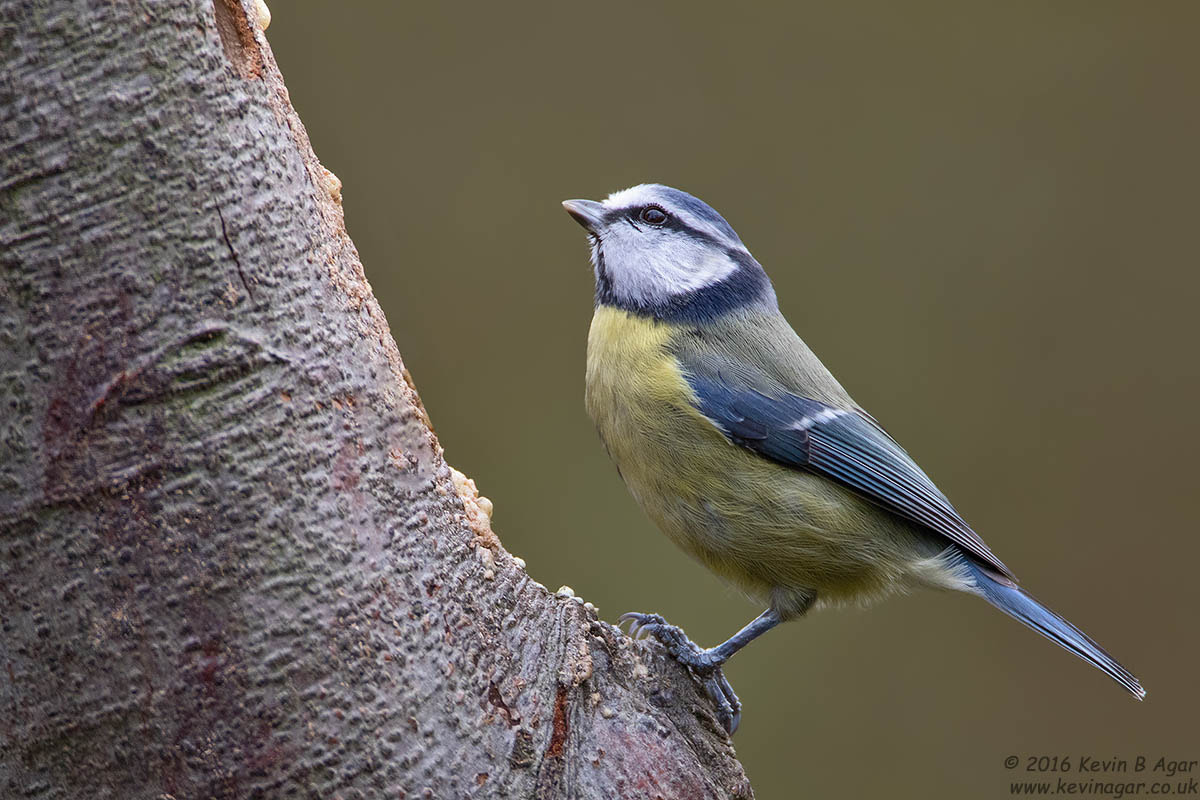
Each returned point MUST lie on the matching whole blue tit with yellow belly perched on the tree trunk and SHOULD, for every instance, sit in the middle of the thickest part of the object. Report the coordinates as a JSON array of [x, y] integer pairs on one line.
[[748, 454]]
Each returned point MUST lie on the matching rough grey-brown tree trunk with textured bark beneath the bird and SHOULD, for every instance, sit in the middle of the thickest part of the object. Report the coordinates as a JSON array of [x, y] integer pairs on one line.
[[233, 562]]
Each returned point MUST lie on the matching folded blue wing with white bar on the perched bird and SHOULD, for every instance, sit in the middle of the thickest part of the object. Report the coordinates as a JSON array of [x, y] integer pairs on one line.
[[844, 446]]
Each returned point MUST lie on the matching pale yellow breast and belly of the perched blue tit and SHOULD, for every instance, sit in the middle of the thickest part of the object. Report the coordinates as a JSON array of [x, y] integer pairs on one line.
[[773, 531]]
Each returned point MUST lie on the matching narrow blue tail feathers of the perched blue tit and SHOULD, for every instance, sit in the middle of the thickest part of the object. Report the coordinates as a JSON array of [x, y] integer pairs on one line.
[[1011, 599]]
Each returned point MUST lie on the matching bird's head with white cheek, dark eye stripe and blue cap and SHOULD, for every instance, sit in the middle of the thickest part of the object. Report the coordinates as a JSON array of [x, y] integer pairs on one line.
[[662, 252]]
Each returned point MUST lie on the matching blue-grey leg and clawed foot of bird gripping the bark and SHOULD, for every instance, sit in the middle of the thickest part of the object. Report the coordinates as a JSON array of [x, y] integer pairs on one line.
[[705, 664]]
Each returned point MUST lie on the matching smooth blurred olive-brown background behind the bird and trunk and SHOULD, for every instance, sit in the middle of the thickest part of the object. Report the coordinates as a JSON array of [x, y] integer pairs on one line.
[[982, 216]]
